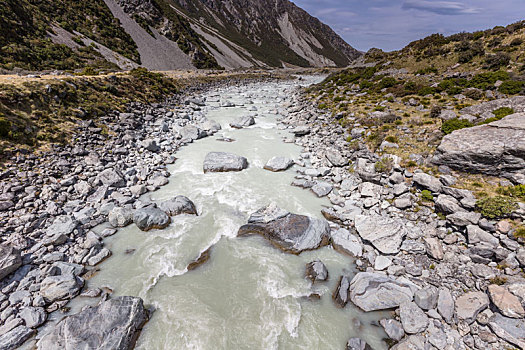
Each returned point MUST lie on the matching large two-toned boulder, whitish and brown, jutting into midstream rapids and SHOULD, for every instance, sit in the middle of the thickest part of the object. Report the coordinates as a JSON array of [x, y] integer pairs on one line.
[[291, 233]]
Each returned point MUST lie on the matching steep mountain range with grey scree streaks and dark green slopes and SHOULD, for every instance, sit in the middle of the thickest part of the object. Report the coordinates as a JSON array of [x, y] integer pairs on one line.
[[165, 35]]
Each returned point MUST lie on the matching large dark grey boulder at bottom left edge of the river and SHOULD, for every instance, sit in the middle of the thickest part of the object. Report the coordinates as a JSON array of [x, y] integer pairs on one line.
[[112, 324]]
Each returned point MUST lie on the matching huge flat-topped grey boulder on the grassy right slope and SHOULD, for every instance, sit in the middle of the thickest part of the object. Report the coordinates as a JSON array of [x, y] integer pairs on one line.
[[497, 148]]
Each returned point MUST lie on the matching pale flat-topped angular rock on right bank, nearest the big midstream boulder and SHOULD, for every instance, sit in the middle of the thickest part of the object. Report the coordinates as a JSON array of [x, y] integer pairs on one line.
[[386, 234]]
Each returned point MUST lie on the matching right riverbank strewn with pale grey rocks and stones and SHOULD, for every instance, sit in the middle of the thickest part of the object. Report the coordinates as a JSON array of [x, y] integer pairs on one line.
[[452, 278]]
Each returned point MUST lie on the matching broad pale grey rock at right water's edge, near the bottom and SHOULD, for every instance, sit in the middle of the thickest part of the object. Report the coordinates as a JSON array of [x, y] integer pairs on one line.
[[373, 291]]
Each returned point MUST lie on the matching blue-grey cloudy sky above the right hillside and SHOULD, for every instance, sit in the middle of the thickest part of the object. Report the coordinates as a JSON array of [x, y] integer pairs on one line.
[[392, 24]]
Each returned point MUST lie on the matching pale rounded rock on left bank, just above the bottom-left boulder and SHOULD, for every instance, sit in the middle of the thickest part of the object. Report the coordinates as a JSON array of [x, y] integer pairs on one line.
[[61, 287]]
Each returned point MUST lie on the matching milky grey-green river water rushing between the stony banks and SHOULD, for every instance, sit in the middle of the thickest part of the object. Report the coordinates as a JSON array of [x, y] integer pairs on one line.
[[248, 295]]
